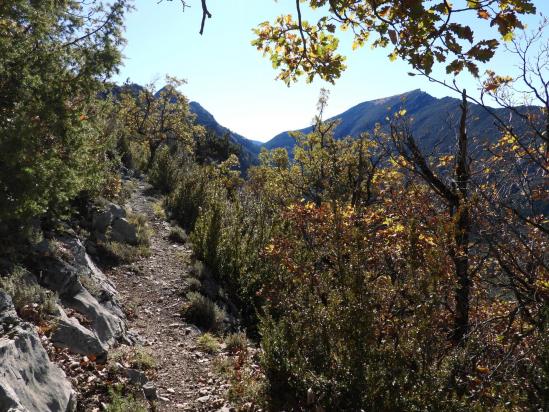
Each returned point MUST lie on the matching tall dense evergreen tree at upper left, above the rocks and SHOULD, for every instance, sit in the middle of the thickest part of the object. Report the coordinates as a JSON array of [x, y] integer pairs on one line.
[[54, 129]]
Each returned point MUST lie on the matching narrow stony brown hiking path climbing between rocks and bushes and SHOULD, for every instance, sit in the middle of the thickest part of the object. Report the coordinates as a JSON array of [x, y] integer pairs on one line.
[[153, 291]]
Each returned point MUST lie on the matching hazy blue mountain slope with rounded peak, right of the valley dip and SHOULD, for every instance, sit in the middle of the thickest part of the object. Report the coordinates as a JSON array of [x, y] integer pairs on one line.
[[433, 120]]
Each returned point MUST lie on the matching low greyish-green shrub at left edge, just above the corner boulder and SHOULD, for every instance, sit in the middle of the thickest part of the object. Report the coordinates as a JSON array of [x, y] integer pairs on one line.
[[25, 293]]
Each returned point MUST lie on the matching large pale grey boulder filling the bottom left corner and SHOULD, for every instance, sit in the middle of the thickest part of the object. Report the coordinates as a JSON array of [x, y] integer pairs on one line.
[[29, 381]]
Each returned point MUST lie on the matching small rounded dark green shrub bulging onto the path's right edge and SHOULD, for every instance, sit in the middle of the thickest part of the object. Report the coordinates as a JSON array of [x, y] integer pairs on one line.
[[203, 312]]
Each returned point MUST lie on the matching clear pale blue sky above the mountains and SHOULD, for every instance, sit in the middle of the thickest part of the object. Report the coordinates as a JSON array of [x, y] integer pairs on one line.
[[232, 80]]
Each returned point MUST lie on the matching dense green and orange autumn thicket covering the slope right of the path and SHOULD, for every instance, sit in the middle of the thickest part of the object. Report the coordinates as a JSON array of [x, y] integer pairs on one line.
[[347, 264]]
